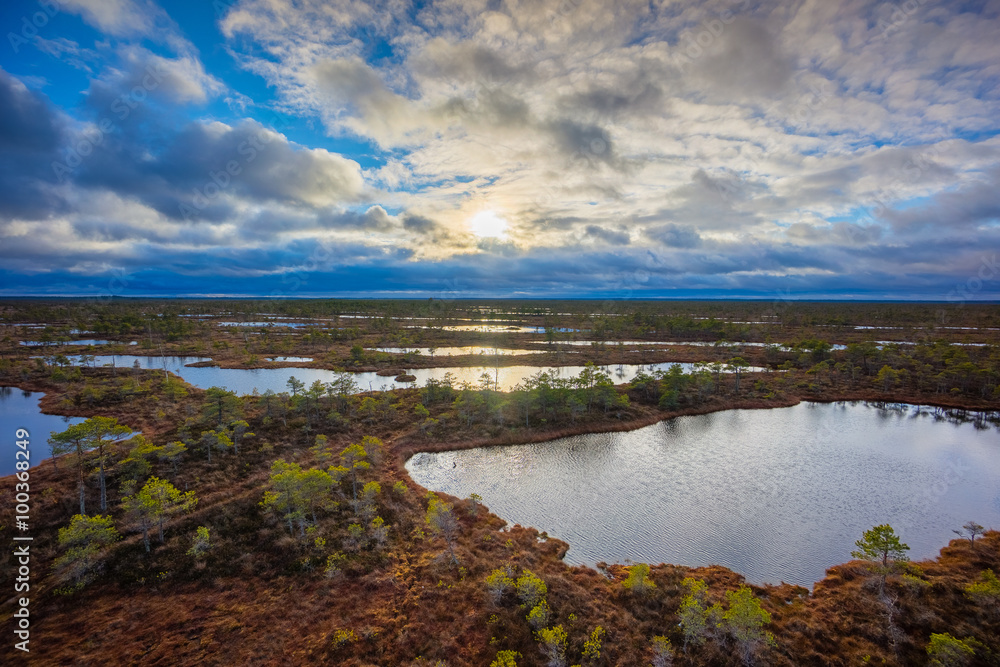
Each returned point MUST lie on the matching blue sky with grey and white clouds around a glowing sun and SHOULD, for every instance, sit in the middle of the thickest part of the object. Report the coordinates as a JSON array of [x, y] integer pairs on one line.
[[501, 148]]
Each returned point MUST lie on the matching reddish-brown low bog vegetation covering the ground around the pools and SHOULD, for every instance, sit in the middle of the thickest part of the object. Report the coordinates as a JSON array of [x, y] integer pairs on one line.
[[261, 595]]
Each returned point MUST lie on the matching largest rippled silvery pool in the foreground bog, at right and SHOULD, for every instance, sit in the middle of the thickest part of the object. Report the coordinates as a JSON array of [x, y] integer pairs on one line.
[[776, 495]]
